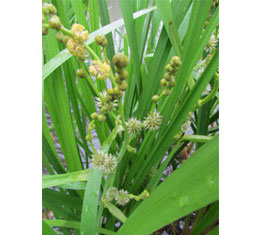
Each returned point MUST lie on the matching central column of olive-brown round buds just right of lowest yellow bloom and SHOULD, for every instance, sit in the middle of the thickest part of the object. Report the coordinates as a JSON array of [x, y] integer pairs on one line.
[[121, 61]]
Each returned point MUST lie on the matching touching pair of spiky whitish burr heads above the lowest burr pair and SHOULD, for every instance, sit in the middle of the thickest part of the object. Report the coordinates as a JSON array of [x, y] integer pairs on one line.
[[104, 161]]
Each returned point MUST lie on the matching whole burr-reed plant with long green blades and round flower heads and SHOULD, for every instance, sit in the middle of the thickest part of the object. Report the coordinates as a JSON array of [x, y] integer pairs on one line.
[[130, 117]]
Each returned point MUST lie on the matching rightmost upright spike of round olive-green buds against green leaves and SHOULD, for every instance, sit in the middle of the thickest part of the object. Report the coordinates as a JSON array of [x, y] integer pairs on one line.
[[168, 80]]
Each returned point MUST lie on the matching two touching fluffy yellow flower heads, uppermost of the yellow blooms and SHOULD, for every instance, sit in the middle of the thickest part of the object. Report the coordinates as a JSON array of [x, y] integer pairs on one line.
[[75, 44]]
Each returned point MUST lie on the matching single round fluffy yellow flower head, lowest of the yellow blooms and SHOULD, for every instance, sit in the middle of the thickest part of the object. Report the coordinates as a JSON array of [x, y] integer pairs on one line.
[[99, 70]]
